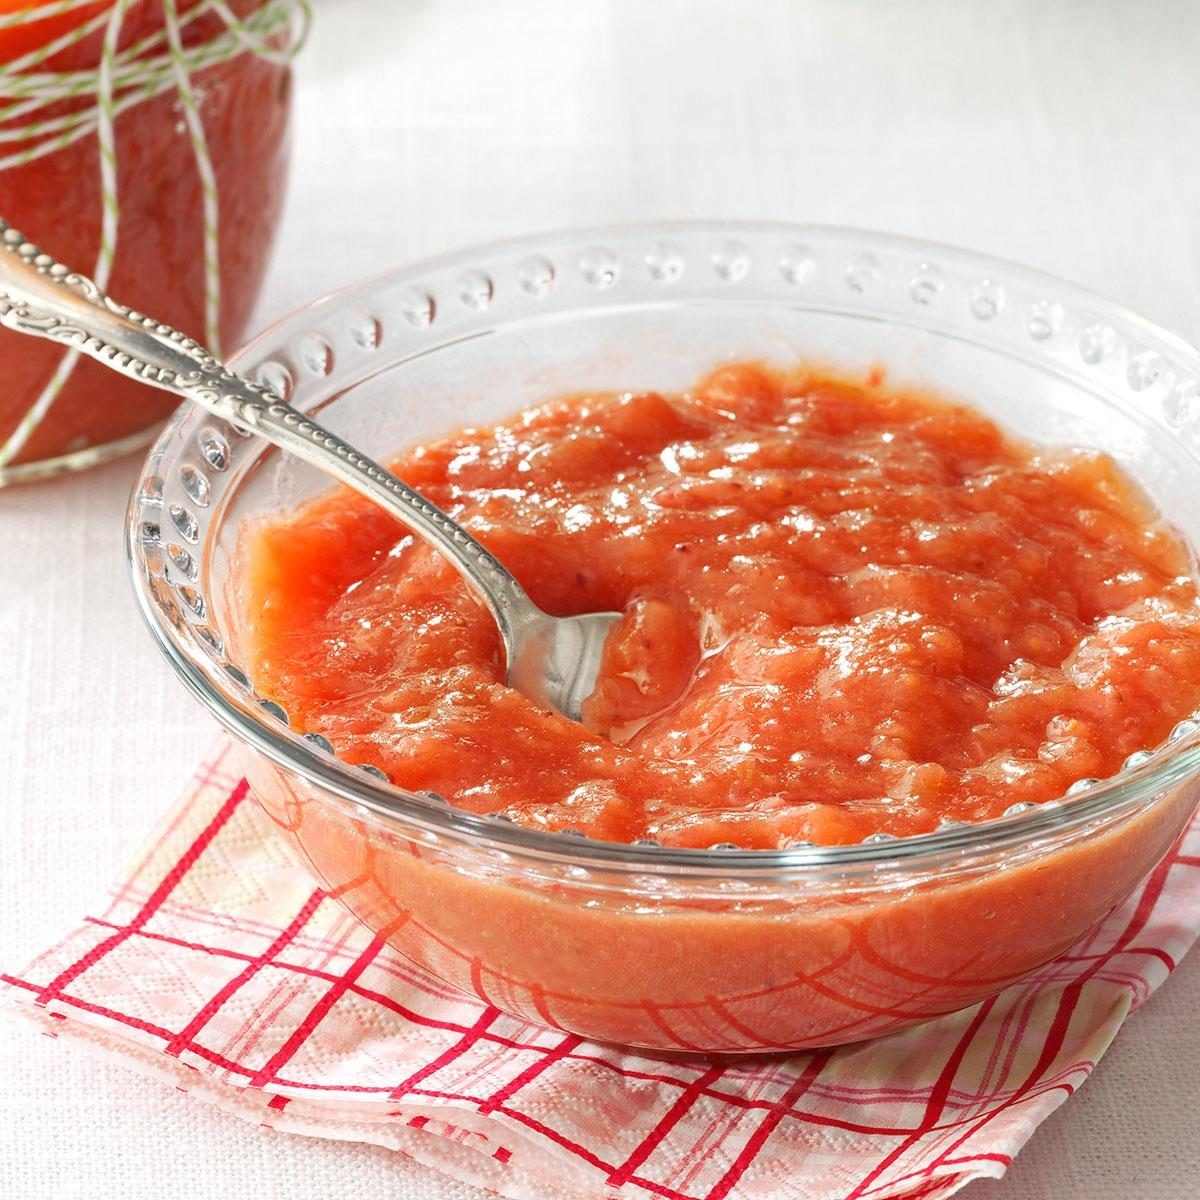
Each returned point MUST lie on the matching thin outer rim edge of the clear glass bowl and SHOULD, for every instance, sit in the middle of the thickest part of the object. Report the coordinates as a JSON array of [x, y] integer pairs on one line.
[[1099, 802]]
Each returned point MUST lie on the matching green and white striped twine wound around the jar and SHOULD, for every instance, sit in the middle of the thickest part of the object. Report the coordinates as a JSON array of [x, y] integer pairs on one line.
[[155, 64]]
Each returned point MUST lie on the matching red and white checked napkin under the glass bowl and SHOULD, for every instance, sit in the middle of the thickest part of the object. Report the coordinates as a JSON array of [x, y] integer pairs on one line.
[[218, 967]]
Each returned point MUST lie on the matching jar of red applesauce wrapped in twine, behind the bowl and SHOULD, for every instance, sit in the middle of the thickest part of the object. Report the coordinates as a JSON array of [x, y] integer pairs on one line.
[[143, 142]]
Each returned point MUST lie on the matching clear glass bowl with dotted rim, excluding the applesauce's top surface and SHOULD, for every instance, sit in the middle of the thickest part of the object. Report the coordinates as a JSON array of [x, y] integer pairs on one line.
[[717, 952]]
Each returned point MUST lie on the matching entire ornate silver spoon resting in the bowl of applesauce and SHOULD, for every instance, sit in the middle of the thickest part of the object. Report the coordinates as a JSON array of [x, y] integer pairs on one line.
[[554, 661]]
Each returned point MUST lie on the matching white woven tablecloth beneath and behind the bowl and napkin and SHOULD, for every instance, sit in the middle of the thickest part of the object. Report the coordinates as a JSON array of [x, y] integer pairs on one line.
[[1065, 136]]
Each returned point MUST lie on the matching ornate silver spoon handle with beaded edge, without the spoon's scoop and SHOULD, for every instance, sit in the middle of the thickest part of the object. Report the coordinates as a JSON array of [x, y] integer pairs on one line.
[[45, 299]]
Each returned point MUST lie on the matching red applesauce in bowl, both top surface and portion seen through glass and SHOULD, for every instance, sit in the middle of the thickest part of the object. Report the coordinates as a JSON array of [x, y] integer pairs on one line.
[[850, 610]]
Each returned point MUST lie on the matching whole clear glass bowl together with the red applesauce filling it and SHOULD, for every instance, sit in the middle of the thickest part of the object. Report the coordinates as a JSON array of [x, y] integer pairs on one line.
[[904, 699]]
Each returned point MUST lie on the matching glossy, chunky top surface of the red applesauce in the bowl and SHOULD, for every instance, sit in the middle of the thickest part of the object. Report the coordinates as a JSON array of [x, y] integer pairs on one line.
[[850, 610]]
